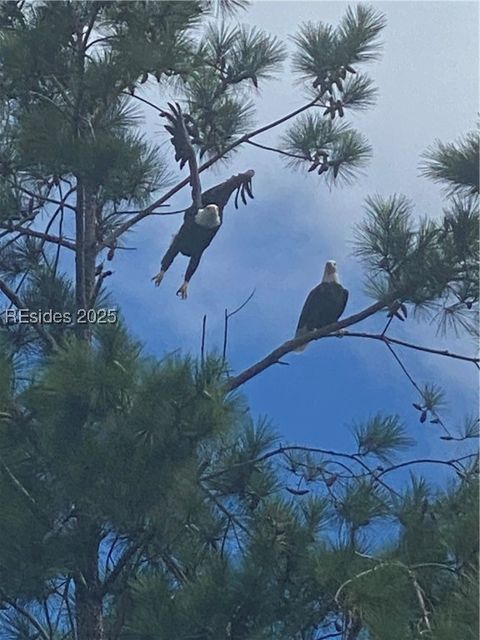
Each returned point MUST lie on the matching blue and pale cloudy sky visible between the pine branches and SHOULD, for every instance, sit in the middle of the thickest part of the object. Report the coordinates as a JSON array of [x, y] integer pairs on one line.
[[278, 244]]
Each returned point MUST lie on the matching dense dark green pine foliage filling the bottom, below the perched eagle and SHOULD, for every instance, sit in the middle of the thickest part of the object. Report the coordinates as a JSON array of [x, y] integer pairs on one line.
[[172, 470]]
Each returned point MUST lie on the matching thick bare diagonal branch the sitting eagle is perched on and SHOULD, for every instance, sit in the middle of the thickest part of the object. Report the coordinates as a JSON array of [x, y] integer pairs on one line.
[[291, 345]]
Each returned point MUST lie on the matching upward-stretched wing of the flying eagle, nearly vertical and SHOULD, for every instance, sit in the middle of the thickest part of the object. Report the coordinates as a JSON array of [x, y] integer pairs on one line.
[[184, 152]]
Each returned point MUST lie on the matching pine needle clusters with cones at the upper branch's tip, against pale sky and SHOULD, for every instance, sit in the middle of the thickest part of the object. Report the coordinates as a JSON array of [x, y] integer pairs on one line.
[[325, 56]]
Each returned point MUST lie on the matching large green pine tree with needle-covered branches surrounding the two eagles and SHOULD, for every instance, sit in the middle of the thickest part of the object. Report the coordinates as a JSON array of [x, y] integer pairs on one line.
[[139, 498]]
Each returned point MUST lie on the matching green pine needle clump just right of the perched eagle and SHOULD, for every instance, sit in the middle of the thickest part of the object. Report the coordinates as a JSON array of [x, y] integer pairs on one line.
[[432, 265]]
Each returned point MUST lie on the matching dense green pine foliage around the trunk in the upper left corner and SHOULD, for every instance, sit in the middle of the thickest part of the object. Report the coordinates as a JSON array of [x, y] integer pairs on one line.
[[73, 120]]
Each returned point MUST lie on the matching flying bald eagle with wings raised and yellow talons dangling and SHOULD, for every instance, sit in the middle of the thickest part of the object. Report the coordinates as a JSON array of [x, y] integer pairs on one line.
[[204, 217]]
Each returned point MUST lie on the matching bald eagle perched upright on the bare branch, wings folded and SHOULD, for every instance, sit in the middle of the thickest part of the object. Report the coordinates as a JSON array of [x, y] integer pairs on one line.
[[324, 304]]
